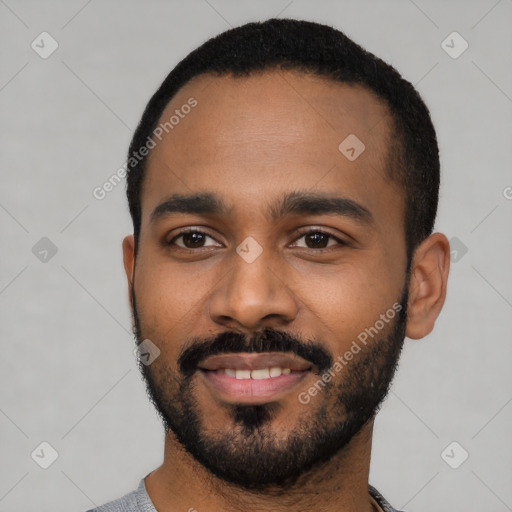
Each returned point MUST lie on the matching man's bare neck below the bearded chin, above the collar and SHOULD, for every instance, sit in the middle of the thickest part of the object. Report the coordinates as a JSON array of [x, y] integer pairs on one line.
[[340, 485]]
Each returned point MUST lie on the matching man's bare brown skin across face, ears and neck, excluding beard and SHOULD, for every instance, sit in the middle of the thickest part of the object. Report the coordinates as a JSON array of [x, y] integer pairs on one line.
[[250, 141]]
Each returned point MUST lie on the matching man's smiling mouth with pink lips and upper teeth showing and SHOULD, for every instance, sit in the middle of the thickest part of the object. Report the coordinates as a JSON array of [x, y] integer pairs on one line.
[[252, 378]]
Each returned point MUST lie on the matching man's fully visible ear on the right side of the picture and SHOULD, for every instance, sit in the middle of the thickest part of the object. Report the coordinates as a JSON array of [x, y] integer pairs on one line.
[[427, 287]]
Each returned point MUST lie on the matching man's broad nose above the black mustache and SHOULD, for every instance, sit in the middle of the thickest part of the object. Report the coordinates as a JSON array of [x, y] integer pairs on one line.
[[252, 296]]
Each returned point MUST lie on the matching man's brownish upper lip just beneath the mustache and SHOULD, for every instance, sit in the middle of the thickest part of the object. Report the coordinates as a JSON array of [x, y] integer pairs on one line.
[[254, 361]]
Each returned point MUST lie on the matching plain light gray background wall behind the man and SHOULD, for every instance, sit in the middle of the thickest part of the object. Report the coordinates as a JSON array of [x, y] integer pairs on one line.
[[68, 372]]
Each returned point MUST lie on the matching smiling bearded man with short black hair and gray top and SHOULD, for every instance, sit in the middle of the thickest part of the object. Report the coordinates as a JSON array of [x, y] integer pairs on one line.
[[283, 185]]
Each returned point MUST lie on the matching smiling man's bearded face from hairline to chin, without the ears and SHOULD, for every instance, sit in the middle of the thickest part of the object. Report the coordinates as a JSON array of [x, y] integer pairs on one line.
[[298, 251]]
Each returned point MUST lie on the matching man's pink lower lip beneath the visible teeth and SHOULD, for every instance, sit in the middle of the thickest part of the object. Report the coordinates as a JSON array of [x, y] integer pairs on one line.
[[252, 391]]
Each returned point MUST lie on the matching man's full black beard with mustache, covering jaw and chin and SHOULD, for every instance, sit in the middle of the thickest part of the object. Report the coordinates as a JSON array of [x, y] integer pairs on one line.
[[249, 453]]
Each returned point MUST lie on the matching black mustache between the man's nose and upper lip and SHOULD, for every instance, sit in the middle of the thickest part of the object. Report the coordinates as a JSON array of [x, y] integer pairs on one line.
[[269, 340]]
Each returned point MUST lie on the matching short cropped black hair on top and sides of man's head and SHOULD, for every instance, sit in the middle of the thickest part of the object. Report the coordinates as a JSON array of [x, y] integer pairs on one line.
[[312, 48]]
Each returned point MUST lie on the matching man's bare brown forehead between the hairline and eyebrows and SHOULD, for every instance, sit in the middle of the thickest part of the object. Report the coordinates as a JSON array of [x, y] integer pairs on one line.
[[264, 135]]
